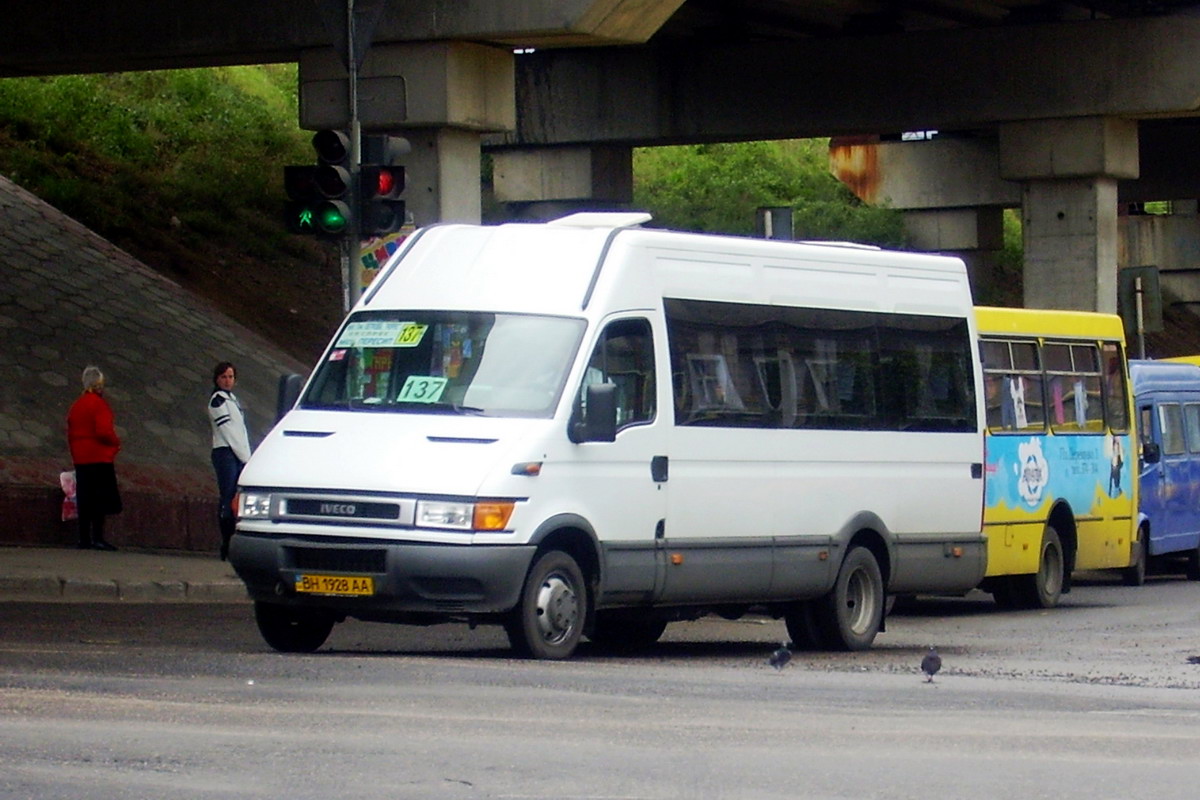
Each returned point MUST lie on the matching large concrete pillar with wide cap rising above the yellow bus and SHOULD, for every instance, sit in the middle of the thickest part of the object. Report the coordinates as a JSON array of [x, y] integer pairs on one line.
[[1069, 172]]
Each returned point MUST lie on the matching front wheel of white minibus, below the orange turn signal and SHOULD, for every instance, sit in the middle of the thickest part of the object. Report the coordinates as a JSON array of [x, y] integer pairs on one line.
[[549, 621]]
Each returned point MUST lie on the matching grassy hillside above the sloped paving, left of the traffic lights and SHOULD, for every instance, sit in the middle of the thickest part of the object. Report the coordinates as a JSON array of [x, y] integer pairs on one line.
[[183, 169]]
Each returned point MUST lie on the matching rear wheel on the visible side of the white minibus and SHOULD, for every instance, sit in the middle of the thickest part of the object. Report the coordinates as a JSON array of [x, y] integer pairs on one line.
[[850, 616]]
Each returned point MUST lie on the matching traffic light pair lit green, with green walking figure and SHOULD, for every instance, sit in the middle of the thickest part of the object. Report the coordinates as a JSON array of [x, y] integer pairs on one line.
[[320, 196]]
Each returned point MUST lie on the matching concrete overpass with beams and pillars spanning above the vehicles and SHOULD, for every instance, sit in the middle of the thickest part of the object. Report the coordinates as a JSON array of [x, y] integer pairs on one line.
[[1049, 106]]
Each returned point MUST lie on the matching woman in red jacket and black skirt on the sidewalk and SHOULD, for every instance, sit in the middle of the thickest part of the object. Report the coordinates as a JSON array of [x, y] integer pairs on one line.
[[94, 446]]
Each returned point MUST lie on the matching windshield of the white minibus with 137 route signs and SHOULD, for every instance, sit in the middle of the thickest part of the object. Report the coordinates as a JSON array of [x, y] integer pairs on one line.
[[447, 363]]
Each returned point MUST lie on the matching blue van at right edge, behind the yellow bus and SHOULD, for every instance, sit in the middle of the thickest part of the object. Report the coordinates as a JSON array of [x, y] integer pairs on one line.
[[1167, 395]]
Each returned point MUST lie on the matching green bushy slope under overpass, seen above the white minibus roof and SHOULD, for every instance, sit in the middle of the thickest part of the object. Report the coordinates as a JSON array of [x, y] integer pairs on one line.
[[717, 188]]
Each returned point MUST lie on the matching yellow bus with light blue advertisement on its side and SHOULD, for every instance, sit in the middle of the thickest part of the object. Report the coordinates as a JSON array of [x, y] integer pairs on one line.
[[1060, 488]]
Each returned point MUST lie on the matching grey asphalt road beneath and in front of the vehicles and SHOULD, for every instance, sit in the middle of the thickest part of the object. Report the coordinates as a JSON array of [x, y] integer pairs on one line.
[[1095, 700]]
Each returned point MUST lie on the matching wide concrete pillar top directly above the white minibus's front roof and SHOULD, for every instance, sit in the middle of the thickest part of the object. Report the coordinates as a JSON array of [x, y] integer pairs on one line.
[[545, 183]]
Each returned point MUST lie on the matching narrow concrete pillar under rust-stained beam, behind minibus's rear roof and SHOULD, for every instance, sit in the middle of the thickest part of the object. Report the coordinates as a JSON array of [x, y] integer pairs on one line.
[[976, 236]]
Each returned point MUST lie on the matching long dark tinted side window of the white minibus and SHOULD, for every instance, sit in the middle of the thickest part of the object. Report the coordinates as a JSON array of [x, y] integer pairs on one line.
[[757, 366]]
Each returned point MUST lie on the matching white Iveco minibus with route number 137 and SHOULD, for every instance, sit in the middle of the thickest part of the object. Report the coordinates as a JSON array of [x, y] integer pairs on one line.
[[589, 429]]
